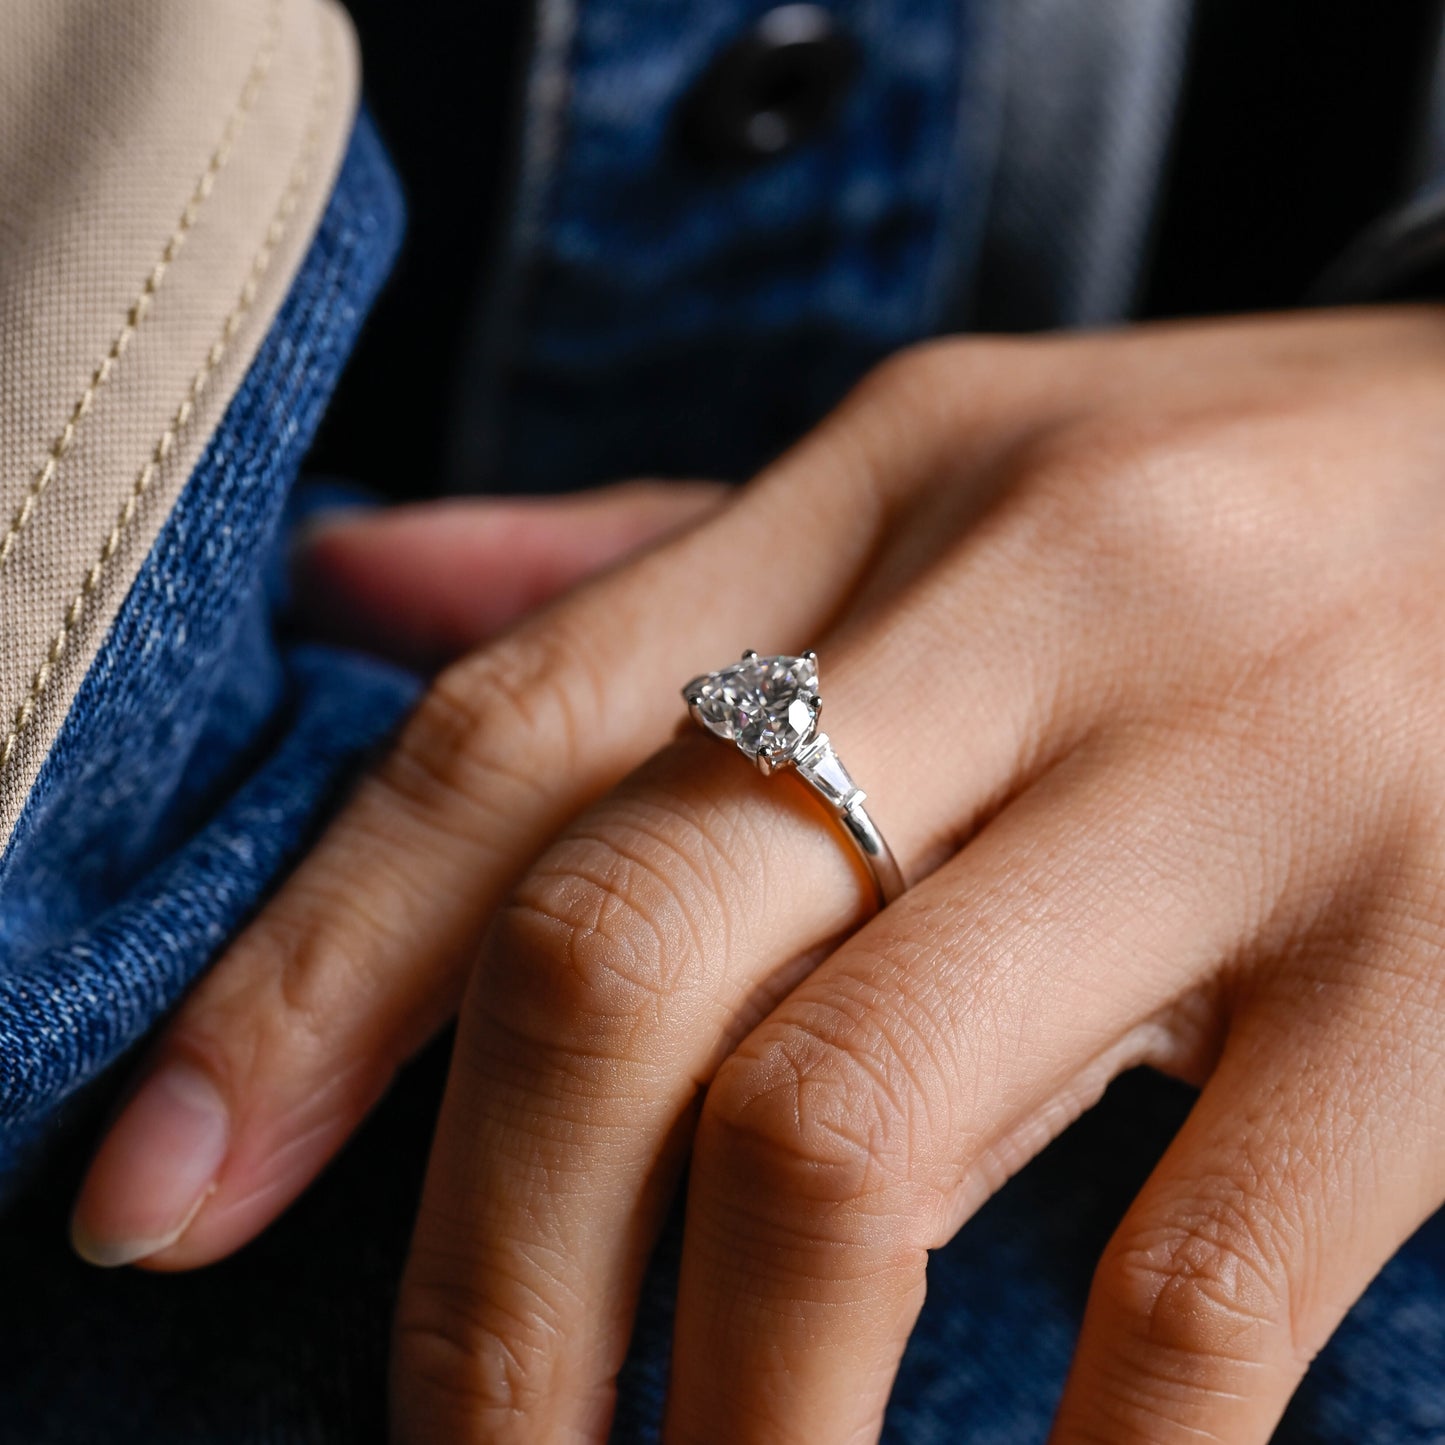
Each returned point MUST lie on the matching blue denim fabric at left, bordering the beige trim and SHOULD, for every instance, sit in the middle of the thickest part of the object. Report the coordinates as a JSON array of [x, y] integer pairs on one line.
[[200, 748]]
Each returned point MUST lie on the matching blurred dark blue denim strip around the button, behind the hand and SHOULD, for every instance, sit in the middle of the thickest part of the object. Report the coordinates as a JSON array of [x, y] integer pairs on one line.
[[661, 317]]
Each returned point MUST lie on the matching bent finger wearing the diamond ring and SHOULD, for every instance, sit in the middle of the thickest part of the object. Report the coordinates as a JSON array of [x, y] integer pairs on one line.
[[631, 960]]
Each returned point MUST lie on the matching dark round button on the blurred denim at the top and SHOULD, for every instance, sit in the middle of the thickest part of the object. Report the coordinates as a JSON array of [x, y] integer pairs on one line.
[[772, 89]]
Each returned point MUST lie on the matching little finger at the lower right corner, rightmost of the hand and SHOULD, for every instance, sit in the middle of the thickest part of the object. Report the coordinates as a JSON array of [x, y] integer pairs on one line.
[[1311, 1157]]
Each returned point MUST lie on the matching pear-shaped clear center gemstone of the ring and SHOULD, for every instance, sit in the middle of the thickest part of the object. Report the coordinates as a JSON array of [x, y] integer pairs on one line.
[[768, 706]]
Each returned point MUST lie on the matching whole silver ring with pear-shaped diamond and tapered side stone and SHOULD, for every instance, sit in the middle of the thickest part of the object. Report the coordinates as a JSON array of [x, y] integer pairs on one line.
[[769, 709]]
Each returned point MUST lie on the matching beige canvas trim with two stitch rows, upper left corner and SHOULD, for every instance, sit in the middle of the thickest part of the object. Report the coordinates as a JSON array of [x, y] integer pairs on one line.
[[163, 168]]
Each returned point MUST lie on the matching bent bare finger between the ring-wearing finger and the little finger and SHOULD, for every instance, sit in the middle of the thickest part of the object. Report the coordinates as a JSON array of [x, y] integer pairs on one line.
[[928, 1060]]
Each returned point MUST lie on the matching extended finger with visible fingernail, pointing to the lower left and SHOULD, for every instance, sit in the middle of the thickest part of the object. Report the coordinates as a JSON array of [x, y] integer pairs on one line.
[[362, 954]]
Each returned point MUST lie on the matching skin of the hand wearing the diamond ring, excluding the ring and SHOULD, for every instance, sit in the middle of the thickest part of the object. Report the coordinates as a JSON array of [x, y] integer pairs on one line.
[[1136, 644]]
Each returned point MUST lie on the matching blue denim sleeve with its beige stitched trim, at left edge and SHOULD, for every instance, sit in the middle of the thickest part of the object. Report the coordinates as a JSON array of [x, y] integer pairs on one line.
[[193, 223]]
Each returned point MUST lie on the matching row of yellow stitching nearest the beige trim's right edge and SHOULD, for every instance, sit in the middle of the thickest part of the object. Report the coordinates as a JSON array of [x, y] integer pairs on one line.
[[145, 478]]
